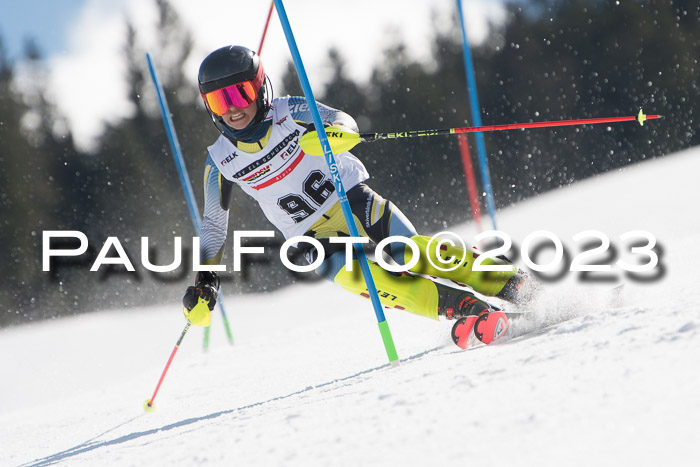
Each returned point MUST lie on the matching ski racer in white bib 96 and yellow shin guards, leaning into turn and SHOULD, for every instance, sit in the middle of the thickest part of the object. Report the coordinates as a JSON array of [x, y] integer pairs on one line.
[[259, 150]]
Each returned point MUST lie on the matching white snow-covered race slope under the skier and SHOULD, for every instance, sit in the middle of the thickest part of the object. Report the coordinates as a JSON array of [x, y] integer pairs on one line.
[[307, 381]]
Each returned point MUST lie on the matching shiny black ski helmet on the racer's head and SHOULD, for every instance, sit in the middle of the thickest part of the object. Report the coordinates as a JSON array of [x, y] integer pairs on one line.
[[231, 65]]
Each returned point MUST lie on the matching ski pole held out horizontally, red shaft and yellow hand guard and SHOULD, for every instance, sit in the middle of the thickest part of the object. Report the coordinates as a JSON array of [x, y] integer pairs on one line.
[[342, 139]]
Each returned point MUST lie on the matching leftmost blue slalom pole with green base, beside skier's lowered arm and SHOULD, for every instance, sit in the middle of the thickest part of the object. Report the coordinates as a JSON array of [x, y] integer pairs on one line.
[[184, 179]]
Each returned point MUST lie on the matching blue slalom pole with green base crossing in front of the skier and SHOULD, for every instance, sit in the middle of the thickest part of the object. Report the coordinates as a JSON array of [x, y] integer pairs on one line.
[[340, 189]]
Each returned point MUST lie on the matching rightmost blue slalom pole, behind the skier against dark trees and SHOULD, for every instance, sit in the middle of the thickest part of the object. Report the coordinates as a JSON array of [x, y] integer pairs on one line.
[[476, 118]]
